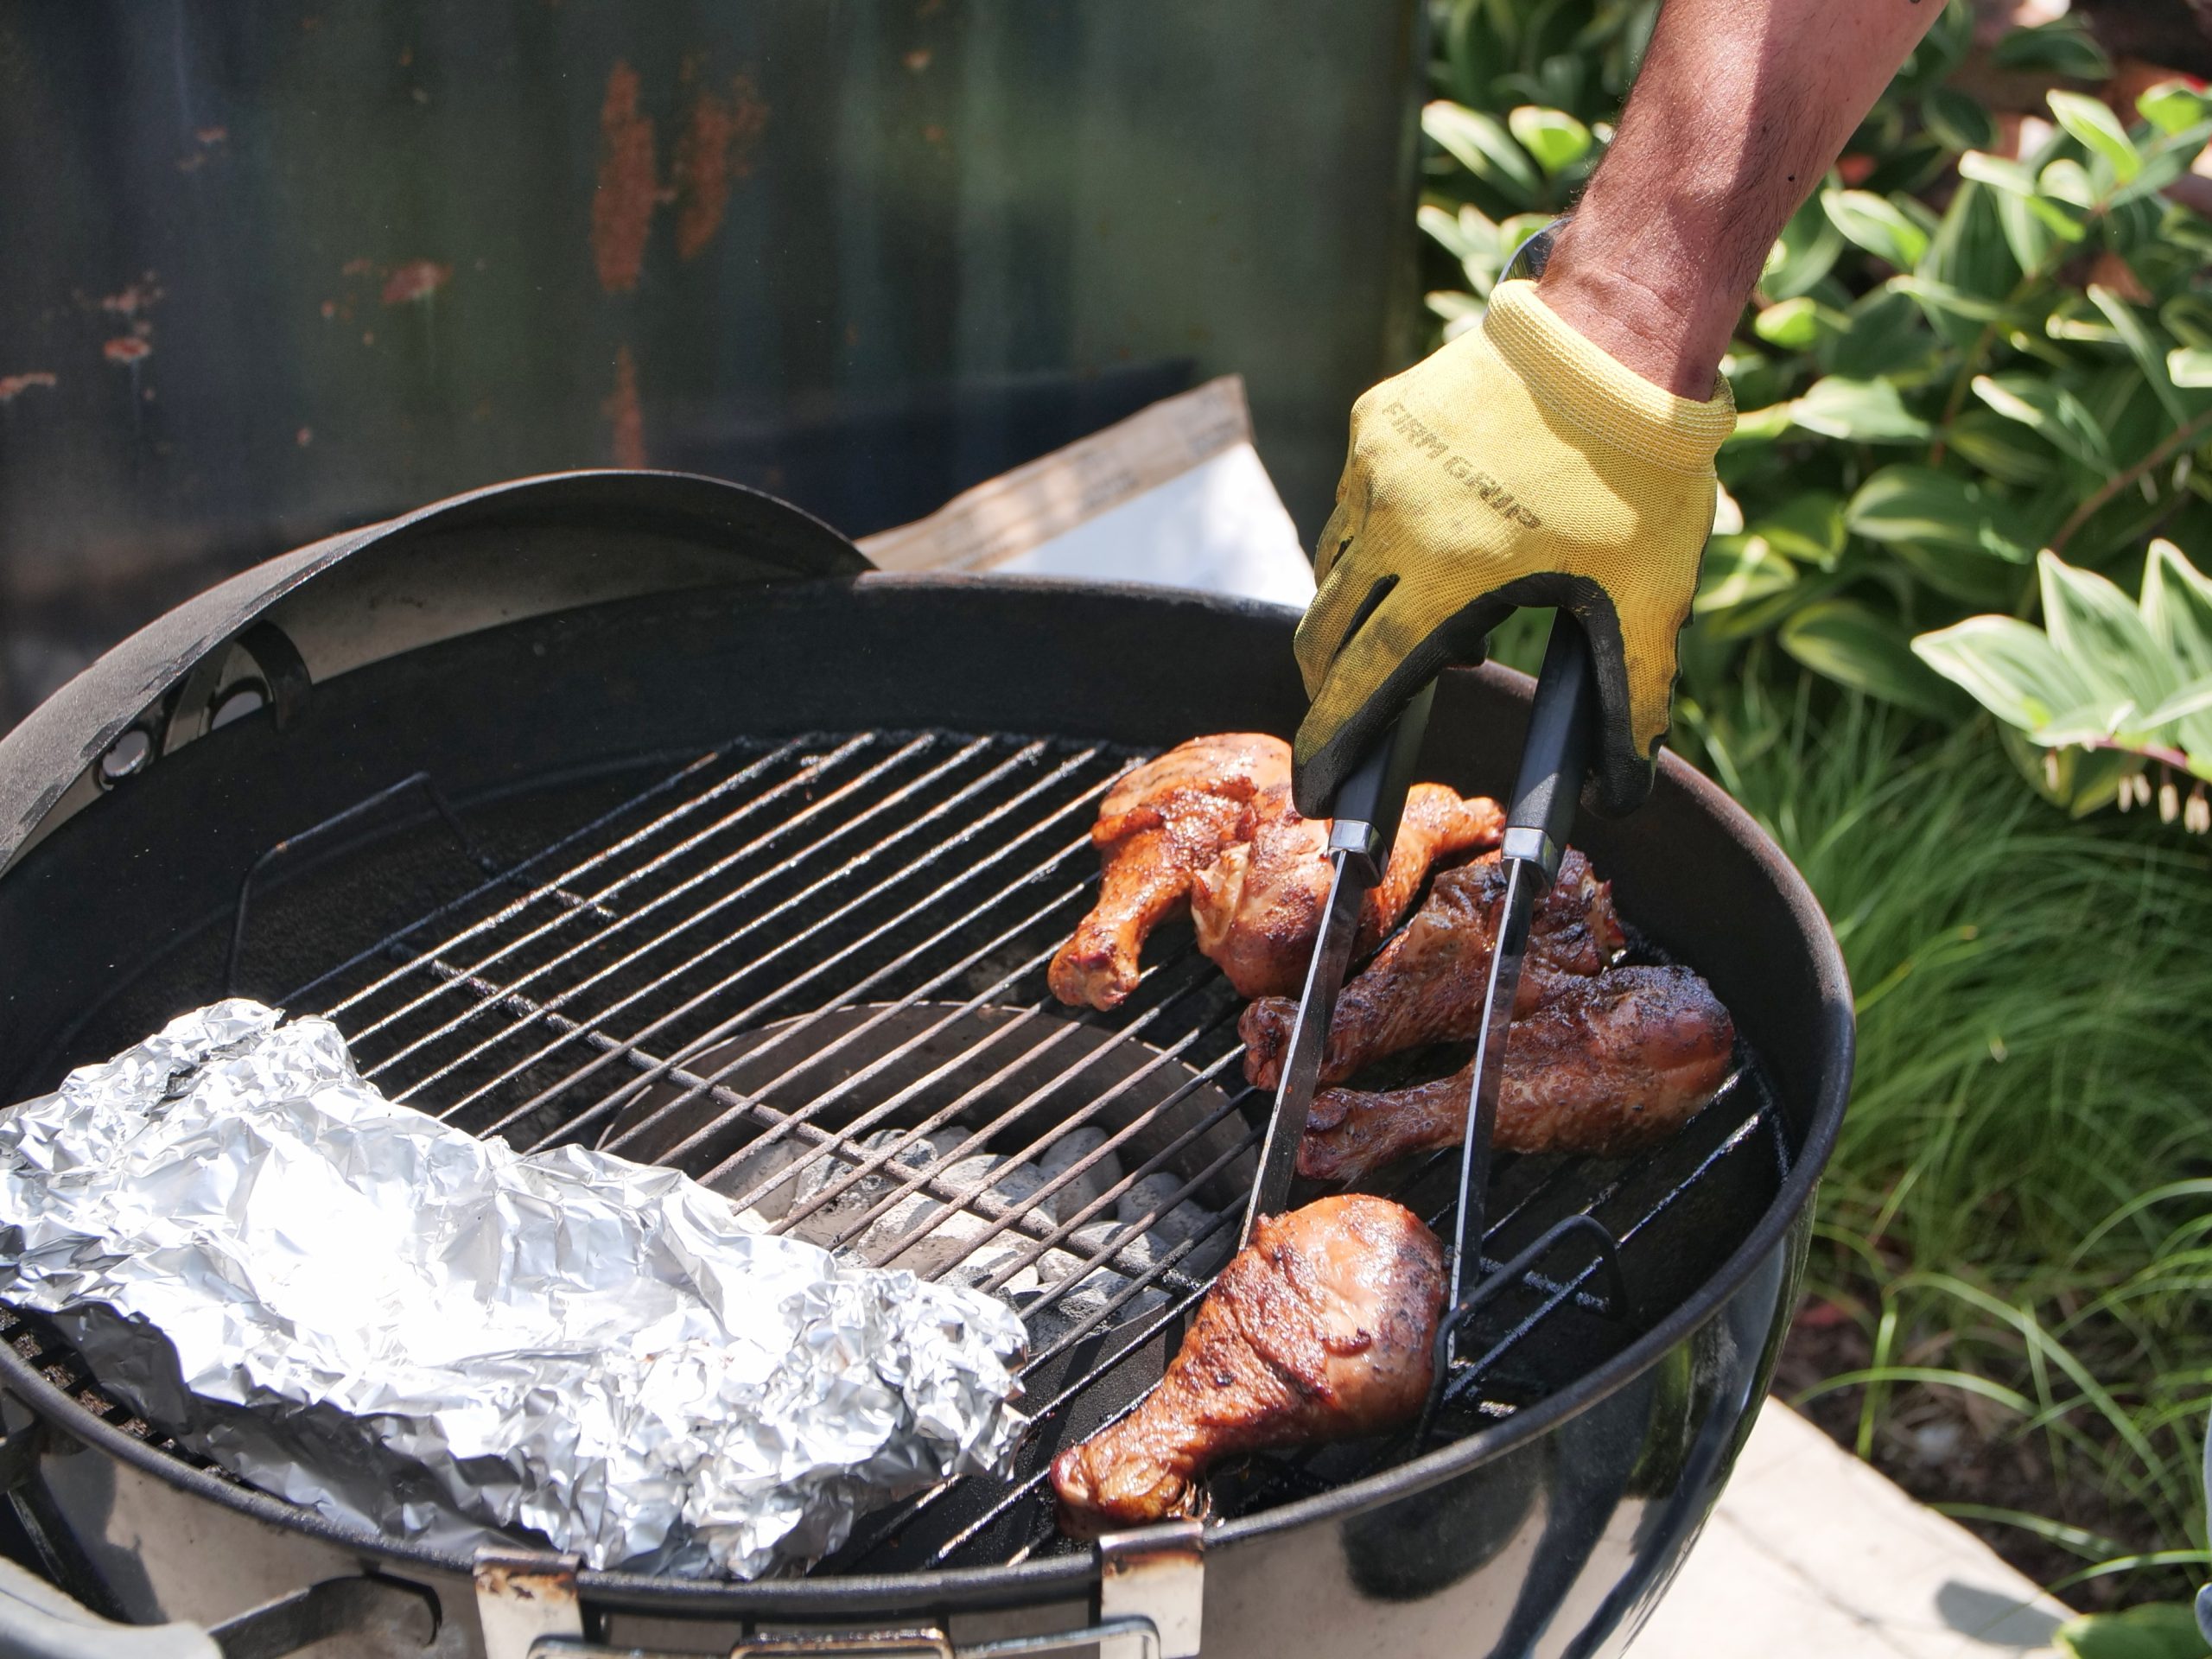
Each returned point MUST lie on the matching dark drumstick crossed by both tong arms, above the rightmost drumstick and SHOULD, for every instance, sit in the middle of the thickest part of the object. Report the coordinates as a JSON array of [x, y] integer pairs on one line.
[[1428, 983]]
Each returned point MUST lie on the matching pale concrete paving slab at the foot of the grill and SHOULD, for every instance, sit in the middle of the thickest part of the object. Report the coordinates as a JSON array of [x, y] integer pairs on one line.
[[1817, 1556]]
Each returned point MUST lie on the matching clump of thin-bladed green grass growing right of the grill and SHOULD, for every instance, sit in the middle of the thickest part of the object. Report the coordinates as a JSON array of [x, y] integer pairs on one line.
[[2016, 1231]]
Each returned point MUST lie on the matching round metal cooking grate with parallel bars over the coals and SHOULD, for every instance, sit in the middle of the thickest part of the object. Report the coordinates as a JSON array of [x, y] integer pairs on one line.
[[813, 977]]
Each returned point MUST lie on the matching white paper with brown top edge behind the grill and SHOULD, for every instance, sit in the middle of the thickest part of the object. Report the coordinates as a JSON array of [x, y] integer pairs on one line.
[[1173, 497]]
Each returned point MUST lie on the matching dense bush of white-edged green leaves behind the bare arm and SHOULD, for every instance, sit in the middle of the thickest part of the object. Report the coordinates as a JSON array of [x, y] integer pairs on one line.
[[1954, 362]]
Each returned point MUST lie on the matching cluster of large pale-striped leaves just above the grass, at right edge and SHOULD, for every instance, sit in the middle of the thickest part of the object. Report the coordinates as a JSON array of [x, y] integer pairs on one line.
[[2107, 689]]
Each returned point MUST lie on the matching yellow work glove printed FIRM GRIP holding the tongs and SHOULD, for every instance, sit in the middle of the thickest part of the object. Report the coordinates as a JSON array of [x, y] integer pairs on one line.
[[1516, 466]]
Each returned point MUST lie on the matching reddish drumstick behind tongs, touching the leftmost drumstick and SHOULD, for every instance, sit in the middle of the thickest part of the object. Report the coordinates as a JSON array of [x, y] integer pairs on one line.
[[1258, 908]]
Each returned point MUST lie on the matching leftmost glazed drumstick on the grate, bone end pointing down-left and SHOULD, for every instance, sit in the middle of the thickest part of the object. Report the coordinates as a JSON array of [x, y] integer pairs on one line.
[[1156, 831]]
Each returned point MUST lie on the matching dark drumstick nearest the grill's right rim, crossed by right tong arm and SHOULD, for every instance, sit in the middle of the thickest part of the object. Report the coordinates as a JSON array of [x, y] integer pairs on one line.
[[1603, 1065]]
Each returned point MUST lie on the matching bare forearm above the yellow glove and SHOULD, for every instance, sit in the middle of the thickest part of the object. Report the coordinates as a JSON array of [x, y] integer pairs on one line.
[[1738, 114]]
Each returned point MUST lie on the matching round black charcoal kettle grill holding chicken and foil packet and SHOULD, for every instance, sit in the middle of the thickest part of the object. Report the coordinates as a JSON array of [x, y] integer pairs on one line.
[[636, 811]]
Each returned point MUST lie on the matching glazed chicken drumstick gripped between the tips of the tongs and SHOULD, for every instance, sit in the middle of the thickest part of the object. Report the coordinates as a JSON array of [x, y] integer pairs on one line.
[[1319, 1331]]
